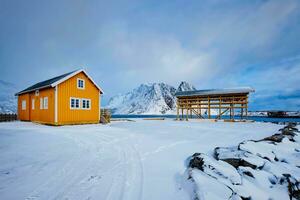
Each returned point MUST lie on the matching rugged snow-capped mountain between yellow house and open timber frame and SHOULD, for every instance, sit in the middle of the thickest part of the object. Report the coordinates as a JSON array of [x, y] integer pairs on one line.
[[155, 98]]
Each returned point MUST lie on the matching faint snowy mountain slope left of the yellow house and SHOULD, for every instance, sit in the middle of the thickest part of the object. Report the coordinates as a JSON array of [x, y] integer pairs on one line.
[[8, 102]]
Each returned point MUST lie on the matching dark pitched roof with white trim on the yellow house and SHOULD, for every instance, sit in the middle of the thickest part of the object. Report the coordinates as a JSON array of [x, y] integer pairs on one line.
[[55, 81]]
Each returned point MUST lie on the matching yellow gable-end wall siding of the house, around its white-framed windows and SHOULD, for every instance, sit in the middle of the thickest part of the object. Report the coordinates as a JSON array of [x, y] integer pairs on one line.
[[69, 89]]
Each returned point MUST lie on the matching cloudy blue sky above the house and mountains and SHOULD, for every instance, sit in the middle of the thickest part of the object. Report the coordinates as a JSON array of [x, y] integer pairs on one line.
[[121, 44]]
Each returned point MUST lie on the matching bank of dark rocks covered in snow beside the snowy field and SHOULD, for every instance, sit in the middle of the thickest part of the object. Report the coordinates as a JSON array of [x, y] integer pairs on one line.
[[262, 169]]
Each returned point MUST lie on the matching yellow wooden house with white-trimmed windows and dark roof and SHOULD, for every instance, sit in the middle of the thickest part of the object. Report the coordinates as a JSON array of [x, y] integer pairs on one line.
[[71, 98]]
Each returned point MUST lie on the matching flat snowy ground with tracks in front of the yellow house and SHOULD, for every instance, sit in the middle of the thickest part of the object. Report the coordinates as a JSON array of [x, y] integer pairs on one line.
[[123, 160]]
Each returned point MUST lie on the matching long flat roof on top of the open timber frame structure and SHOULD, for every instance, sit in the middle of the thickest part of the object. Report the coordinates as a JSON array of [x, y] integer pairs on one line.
[[244, 90]]
